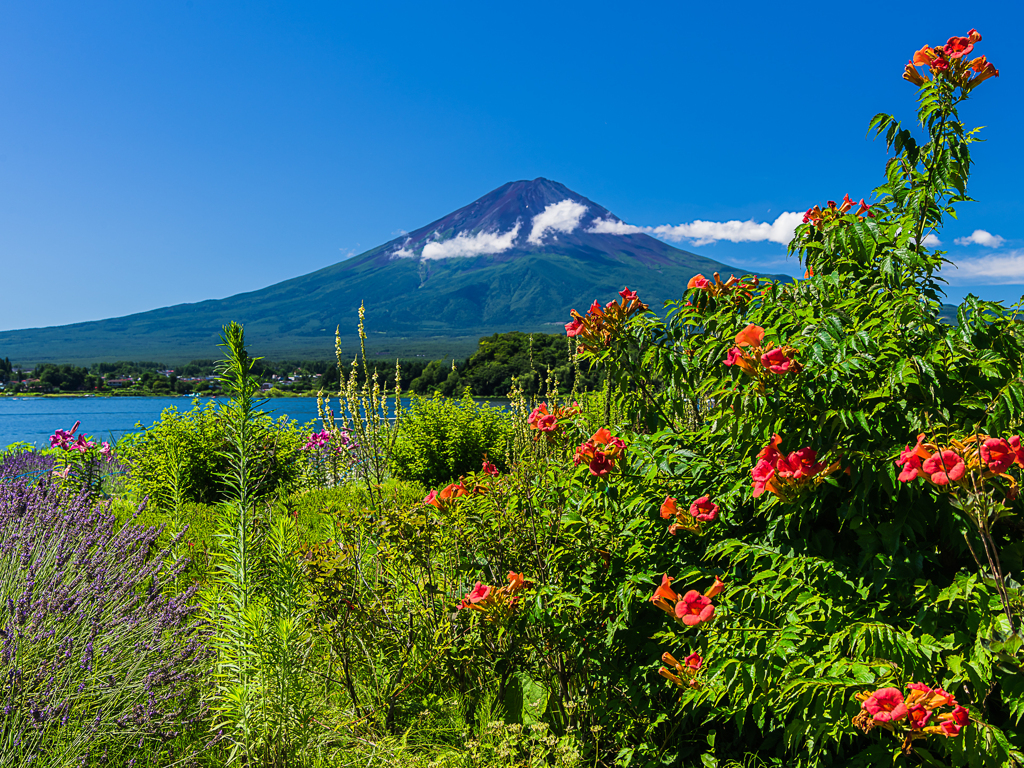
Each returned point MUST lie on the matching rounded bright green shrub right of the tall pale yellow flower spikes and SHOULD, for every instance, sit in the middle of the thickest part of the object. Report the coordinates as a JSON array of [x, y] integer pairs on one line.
[[442, 439]]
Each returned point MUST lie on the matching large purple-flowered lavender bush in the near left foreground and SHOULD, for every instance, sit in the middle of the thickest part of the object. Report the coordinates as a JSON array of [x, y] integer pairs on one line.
[[97, 656]]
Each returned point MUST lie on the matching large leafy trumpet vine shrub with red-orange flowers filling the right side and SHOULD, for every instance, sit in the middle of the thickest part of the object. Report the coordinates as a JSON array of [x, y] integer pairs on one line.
[[845, 466]]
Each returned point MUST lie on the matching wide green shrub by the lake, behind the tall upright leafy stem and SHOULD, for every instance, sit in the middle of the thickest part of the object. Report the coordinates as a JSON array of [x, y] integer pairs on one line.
[[182, 458]]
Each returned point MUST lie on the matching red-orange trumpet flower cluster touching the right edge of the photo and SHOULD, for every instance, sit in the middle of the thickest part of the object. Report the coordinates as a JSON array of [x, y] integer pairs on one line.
[[950, 464]]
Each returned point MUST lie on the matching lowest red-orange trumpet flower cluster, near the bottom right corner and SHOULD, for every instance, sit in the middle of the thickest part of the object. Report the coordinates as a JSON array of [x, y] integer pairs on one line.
[[913, 716]]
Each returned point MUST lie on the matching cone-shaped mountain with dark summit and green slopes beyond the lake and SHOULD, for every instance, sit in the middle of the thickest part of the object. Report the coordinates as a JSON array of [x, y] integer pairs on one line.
[[519, 259]]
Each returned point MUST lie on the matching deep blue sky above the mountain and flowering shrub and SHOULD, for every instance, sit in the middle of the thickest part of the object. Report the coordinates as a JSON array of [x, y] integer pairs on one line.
[[157, 153]]
